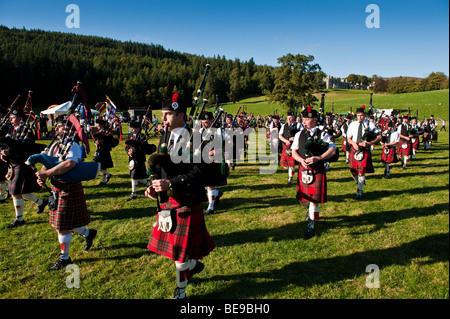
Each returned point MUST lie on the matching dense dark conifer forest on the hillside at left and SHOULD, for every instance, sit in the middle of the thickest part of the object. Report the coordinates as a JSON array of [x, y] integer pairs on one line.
[[131, 74]]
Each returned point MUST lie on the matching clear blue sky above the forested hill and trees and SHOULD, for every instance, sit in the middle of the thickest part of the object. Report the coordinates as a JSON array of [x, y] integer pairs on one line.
[[413, 38]]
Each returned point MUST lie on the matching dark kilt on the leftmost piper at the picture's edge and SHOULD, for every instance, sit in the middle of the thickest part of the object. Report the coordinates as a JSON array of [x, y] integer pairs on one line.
[[23, 180]]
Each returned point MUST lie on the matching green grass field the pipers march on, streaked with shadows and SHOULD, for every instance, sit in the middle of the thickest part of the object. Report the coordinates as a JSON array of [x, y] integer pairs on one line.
[[402, 226]]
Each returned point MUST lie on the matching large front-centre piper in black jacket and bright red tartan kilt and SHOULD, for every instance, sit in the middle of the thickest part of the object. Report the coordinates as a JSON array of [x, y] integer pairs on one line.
[[190, 240]]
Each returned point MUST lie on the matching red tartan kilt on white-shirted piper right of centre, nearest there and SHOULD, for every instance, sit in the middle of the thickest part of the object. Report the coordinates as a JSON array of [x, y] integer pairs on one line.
[[315, 192]]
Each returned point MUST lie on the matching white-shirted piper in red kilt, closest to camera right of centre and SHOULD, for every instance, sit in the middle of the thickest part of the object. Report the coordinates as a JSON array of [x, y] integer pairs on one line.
[[312, 180]]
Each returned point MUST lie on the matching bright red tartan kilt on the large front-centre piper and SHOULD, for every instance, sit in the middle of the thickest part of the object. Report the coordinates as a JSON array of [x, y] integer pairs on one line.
[[190, 239]]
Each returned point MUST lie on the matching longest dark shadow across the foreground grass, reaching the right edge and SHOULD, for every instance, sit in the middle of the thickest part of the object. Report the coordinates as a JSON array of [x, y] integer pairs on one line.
[[327, 270]]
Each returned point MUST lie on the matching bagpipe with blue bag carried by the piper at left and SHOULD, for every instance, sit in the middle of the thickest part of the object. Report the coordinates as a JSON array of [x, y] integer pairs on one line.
[[50, 157]]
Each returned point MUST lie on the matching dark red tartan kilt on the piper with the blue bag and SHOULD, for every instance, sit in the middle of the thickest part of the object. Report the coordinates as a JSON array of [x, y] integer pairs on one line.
[[71, 211]]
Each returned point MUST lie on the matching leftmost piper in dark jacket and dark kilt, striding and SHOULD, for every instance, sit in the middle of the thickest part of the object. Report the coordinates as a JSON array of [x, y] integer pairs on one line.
[[22, 183]]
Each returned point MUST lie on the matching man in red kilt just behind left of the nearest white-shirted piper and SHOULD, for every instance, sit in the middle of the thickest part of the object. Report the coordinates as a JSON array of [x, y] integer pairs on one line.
[[286, 135]]
